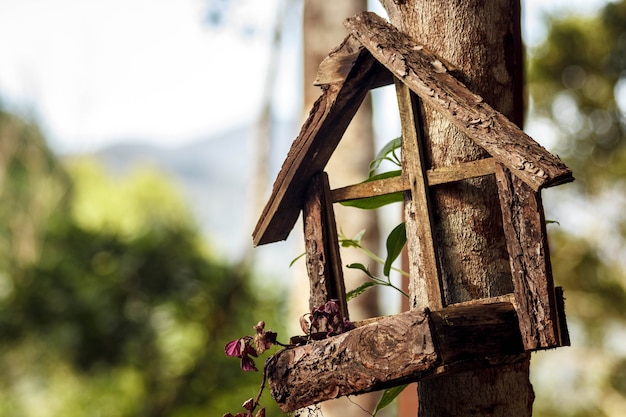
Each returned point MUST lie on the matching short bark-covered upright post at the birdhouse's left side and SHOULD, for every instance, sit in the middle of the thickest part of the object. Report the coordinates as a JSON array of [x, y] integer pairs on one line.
[[323, 260]]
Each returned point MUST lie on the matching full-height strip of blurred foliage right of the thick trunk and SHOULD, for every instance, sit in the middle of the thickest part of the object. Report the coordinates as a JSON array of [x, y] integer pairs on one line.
[[577, 83]]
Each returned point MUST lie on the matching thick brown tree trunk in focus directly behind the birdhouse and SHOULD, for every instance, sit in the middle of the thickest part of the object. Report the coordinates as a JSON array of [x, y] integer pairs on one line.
[[482, 40]]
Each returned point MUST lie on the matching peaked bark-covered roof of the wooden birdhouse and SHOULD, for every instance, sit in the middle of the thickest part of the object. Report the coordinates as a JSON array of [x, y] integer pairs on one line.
[[371, 56]]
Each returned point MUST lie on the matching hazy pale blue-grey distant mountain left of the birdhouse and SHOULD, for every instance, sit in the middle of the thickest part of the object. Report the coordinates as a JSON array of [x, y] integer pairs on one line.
[[215, 175]]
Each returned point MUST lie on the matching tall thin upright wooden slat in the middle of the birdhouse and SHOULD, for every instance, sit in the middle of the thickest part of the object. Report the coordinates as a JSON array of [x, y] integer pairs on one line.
[[425, 281]]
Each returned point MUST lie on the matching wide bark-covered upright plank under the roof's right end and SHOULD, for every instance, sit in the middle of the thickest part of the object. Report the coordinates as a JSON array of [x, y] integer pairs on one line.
[[527, 244]]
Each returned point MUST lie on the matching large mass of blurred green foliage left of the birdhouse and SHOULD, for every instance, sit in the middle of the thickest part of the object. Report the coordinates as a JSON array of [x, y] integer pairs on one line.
[[110, 303]]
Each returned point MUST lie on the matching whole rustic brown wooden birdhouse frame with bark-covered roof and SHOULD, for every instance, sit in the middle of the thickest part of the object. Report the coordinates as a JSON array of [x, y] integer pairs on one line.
[[434, 338]]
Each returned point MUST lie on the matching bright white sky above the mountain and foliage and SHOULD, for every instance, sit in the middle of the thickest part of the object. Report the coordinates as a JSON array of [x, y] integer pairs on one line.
[[94, 72]]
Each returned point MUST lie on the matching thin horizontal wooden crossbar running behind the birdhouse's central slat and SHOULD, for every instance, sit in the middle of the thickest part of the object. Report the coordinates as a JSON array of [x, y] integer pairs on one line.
[[437, 176]]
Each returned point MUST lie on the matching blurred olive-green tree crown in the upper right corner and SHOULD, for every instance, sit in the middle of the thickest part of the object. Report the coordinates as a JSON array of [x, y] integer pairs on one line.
[[576, 79]]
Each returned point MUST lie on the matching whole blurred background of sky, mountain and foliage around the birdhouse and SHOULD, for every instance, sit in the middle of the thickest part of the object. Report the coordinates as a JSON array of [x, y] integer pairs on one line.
[[128, 150]]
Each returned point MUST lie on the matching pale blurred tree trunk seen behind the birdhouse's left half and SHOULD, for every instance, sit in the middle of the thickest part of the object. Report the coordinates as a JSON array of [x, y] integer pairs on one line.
[[323, 31]]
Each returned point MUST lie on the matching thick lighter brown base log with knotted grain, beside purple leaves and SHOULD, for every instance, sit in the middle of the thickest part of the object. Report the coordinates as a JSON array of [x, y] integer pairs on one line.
[[364, 359]]
